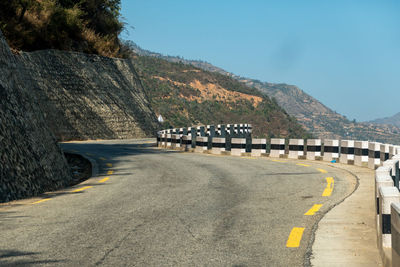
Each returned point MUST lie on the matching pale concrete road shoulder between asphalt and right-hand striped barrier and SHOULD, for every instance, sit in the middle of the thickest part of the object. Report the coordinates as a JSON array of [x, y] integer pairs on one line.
[[346, 235]]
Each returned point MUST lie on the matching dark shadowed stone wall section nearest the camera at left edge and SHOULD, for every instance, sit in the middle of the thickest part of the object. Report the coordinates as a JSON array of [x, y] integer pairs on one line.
[[30, 160]]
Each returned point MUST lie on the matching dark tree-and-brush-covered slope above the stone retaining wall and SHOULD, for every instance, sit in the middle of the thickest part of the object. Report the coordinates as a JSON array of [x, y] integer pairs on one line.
[[89, 26]]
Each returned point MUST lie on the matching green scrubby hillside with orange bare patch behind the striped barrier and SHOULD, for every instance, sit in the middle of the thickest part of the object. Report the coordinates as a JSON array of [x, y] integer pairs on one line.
[[185, 95]]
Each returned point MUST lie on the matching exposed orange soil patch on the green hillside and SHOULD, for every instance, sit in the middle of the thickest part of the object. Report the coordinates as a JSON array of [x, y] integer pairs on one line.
[[211, 91]]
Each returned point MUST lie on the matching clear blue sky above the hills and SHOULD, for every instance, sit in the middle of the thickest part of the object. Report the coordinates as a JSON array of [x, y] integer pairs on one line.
[[344, 53]]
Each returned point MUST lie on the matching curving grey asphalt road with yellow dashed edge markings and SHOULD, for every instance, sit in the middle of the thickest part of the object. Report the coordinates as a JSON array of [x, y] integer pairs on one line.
[[167, 208]]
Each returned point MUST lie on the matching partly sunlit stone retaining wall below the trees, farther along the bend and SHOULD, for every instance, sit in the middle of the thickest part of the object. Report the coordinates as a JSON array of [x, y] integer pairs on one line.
[[89, 97]]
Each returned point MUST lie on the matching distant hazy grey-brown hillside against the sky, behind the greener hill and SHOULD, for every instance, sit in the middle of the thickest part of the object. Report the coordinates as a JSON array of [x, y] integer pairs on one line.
[[315, 117]]
